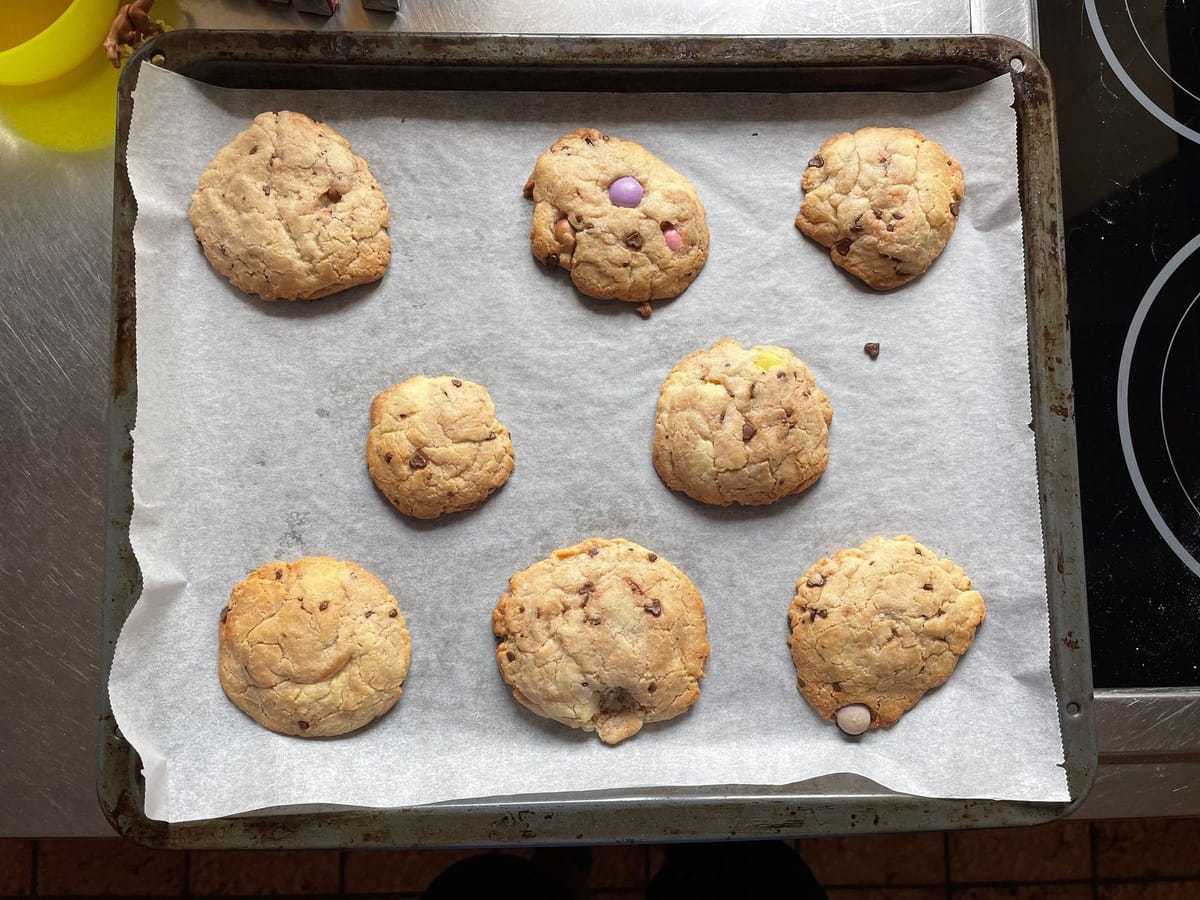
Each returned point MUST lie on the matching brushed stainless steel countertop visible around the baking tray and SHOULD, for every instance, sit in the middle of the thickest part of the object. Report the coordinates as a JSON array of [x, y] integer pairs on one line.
[[56, 241]]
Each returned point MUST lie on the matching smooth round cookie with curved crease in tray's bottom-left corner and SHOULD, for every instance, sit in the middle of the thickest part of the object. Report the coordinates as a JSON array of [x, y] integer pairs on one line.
[[313, 649]]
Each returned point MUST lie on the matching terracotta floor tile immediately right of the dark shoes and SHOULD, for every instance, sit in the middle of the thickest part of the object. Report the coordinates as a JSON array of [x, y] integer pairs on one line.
[[877, 860]]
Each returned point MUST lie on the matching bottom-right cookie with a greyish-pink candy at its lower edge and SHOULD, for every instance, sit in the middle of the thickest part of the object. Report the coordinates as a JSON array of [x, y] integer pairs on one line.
[[875, 628]]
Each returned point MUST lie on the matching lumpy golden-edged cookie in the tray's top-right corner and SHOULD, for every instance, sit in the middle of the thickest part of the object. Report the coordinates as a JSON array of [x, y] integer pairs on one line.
[[885, 201]]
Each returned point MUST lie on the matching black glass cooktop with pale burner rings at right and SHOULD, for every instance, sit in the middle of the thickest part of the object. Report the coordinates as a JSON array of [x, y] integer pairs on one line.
[[1127, 79]]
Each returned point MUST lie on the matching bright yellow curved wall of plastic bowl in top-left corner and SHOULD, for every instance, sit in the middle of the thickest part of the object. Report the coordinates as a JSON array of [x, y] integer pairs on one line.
[[62, 46]]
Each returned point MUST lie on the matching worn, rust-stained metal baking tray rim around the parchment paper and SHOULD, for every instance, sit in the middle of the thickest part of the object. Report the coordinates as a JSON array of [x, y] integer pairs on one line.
[[835, 805]]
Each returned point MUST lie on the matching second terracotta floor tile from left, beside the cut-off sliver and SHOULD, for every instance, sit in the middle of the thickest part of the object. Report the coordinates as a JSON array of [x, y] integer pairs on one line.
[[107, 866]]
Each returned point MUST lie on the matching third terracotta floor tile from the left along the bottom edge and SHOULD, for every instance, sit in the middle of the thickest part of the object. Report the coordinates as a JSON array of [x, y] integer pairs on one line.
[[261, 873]]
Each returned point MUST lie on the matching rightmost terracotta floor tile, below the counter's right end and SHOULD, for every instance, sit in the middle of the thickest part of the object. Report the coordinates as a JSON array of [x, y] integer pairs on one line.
[[1136, 848]]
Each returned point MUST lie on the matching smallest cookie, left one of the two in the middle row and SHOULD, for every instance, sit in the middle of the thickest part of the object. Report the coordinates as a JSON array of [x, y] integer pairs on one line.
[[435, 446]]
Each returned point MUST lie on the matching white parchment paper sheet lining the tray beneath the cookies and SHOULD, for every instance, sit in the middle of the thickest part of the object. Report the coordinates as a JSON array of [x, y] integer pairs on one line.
[[253, 422]]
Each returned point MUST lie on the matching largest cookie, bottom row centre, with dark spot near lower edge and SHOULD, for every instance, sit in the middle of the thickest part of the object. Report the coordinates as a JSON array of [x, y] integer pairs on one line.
[[603, 637]]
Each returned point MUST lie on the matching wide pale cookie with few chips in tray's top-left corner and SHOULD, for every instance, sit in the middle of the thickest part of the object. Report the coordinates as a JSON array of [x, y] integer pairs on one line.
[[289, 213]]
